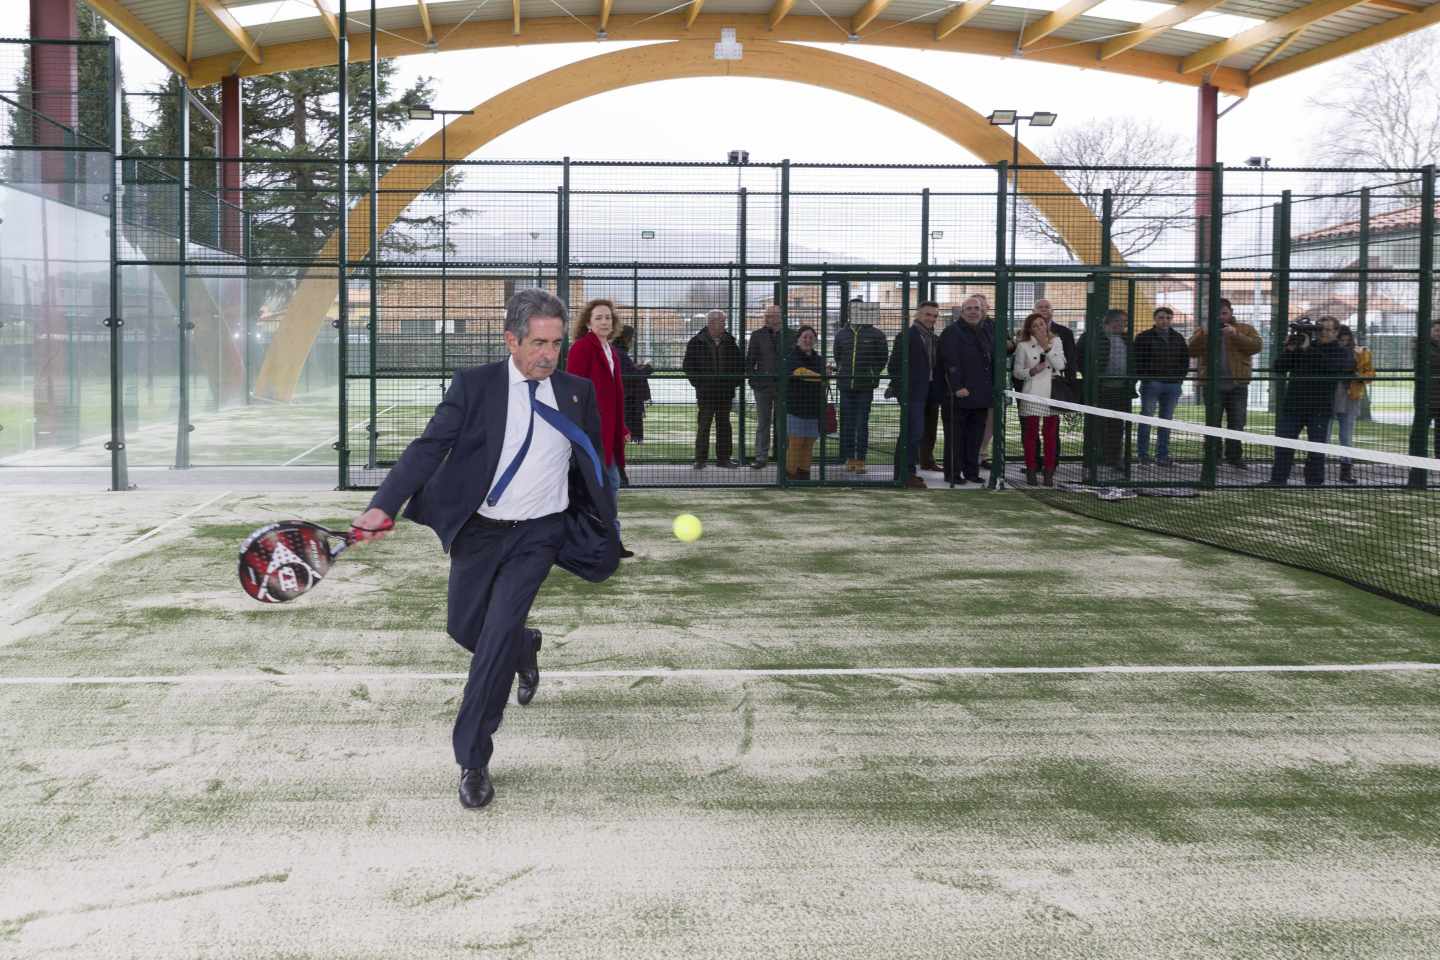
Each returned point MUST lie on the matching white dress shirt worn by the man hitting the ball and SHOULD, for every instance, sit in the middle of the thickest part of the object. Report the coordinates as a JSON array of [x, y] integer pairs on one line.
[[542, 486]]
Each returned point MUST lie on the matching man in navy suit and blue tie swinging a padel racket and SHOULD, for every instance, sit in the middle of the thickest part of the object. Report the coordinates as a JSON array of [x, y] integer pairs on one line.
[[508, 474]]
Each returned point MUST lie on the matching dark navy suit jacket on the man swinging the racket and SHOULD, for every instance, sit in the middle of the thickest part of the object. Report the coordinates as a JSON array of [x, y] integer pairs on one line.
[[443, 477]]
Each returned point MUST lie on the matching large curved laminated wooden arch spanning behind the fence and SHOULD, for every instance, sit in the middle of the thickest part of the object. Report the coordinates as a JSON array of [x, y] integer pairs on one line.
[[306, 316]]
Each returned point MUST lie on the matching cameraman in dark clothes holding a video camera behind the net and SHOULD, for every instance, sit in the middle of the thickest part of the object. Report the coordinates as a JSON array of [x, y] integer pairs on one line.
[[1308, 369]]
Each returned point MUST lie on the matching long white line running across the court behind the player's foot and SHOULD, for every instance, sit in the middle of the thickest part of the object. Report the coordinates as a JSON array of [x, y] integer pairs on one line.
[[724, 673]]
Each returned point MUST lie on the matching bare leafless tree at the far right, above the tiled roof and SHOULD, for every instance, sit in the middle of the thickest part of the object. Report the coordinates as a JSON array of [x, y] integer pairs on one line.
[[1387, 112]]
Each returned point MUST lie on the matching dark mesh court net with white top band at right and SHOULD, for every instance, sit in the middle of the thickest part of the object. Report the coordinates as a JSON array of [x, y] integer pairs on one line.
[[1366, 516]]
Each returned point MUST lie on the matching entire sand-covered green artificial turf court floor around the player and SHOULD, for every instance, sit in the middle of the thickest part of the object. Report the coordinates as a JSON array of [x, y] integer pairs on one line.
[[695, 776]]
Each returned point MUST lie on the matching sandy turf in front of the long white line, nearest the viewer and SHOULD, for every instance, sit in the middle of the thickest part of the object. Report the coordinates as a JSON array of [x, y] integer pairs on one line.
[[722, 821]]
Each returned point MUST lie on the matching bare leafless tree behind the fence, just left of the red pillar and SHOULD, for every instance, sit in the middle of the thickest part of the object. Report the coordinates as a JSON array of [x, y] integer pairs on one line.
[[1147, 198]]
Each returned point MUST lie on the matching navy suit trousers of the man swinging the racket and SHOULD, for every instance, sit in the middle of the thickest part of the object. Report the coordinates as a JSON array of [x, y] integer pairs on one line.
[[496, 574]]
